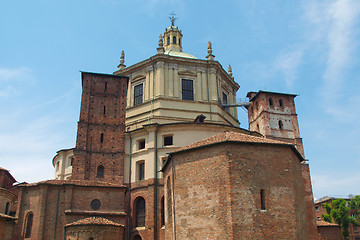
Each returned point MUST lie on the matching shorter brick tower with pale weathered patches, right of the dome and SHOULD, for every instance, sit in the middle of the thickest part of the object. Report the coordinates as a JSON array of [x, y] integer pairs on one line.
[[274, 116]]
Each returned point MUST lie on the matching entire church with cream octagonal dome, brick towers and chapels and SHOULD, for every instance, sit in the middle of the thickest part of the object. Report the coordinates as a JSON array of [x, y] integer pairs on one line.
[[160, 155]]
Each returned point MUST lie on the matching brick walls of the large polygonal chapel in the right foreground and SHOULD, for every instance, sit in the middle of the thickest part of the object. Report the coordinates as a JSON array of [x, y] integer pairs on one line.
[[223, 183]]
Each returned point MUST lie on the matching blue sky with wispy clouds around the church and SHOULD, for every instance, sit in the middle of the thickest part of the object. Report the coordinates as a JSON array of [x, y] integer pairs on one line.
[[309, 47]]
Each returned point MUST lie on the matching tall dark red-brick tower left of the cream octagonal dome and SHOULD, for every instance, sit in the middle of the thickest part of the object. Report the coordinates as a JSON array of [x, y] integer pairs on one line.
[[99, 153]]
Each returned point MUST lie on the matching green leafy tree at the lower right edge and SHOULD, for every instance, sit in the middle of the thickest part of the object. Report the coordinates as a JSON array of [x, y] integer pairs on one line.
[[339, 212]]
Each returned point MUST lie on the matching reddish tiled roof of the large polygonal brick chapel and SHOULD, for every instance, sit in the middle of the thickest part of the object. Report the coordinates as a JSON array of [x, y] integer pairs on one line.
[[232, 137]]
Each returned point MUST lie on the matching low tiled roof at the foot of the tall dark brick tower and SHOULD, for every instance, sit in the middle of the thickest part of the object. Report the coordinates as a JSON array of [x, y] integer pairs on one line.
[[74, 182]]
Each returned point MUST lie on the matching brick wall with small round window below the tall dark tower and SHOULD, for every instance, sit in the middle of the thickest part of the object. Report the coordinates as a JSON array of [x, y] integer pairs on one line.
[[56, 203]]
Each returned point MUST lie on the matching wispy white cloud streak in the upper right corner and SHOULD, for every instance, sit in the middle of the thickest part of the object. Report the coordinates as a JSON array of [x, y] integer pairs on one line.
[[335, 28]]
